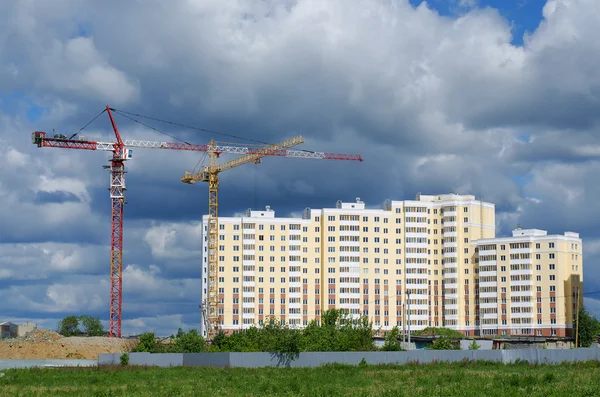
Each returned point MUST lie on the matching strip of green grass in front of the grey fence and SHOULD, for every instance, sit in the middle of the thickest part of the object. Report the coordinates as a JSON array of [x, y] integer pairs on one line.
[[458, 379]]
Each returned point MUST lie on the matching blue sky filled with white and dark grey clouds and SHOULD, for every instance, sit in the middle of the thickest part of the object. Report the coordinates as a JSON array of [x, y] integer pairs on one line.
[[494, 98]]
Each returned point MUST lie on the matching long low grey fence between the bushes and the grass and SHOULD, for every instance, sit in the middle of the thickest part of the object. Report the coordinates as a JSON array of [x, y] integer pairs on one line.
[[316, 359]]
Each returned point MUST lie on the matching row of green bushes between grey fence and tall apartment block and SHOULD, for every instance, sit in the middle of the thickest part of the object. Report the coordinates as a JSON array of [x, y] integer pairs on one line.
[[336, 332]]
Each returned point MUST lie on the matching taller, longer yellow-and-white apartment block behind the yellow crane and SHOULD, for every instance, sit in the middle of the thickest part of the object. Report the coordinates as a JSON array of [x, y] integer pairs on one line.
[[412, 263]]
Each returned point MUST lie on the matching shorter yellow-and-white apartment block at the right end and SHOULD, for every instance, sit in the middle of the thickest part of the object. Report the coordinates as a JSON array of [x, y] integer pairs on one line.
[[529, 283]]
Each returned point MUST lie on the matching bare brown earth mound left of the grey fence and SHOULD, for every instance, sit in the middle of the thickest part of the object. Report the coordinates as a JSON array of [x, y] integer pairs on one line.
[[43, 344]]
